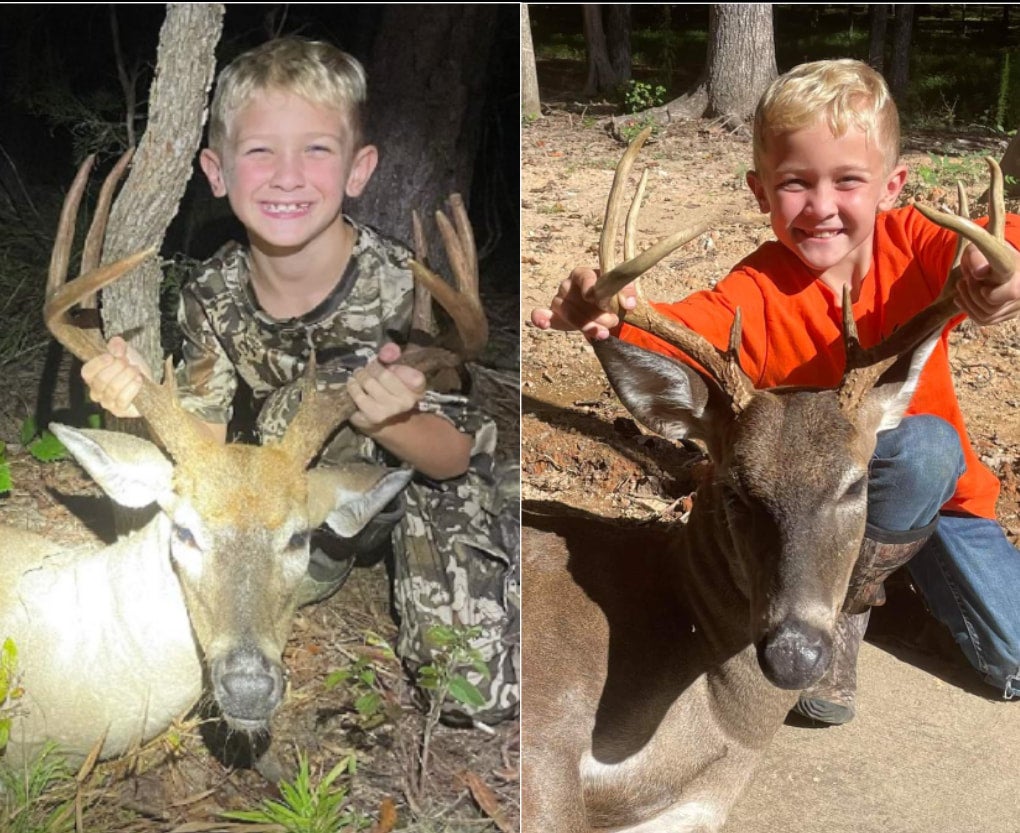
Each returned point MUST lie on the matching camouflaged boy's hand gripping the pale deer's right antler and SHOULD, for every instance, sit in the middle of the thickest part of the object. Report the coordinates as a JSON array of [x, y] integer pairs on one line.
[[383, 390]]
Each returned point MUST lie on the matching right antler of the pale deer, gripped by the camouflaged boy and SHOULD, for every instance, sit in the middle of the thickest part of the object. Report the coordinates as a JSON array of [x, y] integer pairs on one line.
[[323, 412]]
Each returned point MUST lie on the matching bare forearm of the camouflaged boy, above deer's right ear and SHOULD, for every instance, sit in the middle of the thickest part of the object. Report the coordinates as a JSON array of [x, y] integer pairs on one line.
[[427, 442]]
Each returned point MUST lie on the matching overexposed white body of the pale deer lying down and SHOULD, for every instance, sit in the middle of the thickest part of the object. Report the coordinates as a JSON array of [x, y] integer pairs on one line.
[[105, 647]]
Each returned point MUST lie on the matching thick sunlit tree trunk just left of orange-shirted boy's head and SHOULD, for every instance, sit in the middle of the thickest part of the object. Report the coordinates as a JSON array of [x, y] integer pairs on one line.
[[741, 59]]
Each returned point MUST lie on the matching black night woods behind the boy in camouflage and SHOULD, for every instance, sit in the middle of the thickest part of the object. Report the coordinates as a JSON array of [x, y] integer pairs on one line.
[[63, 98]]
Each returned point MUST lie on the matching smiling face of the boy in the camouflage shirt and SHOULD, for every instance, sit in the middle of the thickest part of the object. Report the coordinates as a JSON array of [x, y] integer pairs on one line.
[[286, 169]]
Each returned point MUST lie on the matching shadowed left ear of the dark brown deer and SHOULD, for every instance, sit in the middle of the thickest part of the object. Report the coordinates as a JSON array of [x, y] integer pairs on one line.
[[671, 398]]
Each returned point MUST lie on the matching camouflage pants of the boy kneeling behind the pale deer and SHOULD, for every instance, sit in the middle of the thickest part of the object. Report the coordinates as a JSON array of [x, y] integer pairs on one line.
[[455, 555]]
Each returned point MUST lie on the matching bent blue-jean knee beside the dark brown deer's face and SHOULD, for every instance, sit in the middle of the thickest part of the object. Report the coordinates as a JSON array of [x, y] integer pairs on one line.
[[913, 473]]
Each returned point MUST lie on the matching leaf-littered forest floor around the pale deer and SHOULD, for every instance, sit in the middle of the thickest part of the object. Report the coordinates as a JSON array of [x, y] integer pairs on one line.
[[177, 785]]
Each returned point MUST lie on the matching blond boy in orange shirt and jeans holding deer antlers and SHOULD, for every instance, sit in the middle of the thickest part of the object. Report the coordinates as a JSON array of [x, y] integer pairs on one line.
[[827, 157]]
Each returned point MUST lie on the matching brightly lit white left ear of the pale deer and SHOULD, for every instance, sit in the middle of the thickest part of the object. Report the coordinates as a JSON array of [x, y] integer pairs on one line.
[[132, 471]]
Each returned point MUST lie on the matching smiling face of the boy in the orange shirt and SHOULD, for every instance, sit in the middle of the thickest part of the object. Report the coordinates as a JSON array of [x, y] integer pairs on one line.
[[823, 194]]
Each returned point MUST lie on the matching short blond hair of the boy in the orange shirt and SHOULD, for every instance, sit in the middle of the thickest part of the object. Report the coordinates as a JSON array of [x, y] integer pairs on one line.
[[847, 94]]
